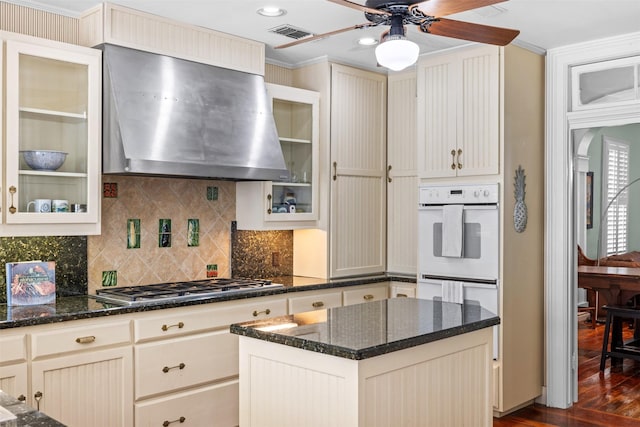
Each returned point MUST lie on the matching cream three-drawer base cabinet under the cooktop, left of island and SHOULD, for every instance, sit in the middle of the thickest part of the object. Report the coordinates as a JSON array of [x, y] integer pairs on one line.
[[186, 362]]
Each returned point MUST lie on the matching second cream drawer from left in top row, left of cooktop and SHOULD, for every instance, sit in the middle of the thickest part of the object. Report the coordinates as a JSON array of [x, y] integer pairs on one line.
[[81, 338]]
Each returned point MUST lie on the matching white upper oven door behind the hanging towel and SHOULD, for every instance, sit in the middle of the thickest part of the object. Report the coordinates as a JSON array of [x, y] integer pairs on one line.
[[480, 244]]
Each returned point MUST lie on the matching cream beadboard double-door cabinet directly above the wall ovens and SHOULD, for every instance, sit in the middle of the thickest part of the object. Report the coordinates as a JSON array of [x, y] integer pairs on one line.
[[458, 113]]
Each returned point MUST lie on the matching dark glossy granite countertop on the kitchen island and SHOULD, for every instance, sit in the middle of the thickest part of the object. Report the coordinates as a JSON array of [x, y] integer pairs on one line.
[[366, 330]]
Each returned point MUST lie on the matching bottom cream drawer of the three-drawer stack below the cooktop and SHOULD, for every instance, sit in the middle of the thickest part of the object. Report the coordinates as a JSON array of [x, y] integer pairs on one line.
[[213, 406]]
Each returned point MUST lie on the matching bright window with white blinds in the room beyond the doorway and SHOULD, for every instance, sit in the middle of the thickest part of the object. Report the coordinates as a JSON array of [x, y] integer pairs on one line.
[[615, 173]]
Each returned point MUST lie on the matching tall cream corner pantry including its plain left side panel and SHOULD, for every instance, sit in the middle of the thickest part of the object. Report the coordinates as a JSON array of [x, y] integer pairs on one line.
[[350, 239]]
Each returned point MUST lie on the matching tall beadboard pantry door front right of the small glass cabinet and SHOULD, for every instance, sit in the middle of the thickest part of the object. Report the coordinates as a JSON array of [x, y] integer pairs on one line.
[[358, 164]]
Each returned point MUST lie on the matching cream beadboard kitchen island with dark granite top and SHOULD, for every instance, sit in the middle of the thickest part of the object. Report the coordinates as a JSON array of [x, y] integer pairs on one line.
[[397, 362]]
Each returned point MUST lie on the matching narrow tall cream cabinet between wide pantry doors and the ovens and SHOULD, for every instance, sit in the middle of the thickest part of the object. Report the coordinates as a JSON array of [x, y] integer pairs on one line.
[[402, 174]]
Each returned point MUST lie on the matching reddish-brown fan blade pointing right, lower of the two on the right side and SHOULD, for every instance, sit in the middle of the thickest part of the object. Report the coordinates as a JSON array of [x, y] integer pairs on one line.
[[472, 32]]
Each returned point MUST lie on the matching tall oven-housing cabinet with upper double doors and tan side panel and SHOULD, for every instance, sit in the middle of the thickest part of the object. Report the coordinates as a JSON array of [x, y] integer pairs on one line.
[[480, 117]]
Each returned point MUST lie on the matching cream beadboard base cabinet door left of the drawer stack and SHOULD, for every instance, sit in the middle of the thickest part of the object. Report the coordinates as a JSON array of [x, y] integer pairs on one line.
[[88, 389]]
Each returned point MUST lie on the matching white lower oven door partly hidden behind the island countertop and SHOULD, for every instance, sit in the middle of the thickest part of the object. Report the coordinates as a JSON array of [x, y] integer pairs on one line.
[[486, 294]]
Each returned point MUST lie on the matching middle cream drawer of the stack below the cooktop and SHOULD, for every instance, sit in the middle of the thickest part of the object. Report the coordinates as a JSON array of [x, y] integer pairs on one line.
[[184, 362]]
